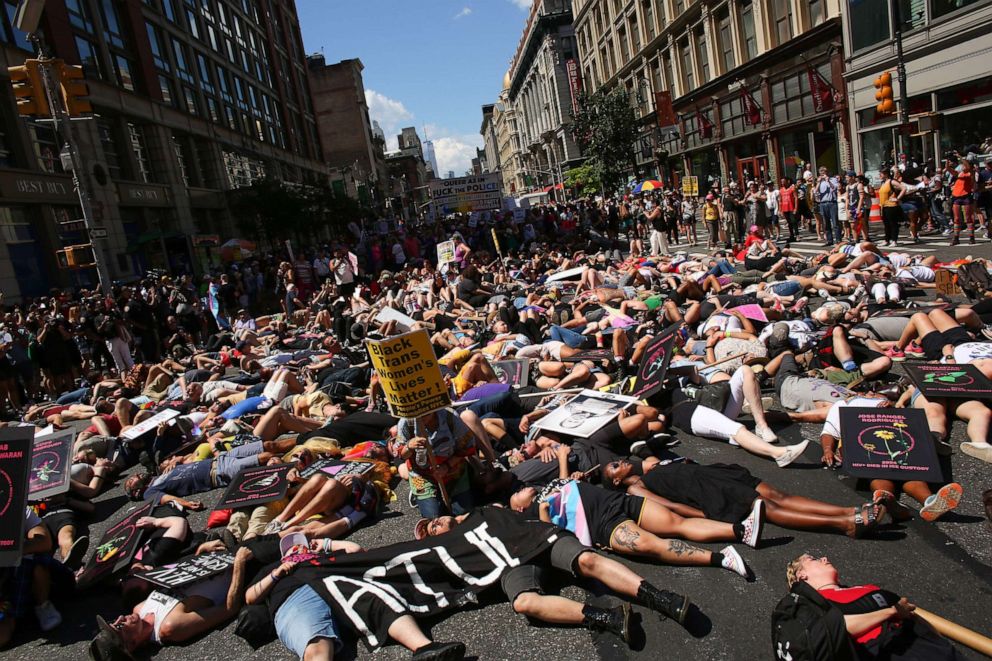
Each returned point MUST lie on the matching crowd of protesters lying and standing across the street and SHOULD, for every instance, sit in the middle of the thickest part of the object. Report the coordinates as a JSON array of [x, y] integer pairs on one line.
[[264, 364]]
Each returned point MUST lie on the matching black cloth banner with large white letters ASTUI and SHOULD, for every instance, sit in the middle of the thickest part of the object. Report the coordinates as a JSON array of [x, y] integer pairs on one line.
[[368, 591]]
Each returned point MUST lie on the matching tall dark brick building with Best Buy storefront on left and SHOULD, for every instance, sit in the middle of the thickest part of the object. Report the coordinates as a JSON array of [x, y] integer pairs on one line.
[[192, 99]]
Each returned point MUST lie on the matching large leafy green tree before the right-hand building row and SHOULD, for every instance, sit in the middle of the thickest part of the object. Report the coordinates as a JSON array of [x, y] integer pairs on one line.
[[606, 128]]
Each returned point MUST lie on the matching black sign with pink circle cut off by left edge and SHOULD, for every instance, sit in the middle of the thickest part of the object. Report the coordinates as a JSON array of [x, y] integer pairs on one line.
[[15, 461]]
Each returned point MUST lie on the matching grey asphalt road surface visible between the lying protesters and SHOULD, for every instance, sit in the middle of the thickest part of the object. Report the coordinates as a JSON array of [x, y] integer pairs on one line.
[[945, 567]]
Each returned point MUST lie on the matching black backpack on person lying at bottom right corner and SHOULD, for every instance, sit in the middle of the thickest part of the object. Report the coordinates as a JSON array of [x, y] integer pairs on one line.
[[807, 627]]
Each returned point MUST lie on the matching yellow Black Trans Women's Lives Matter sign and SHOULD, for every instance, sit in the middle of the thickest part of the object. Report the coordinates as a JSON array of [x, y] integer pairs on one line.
[[409, 373]]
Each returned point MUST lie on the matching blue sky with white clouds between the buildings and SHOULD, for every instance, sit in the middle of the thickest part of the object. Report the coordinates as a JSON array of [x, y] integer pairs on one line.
[[431, 64]]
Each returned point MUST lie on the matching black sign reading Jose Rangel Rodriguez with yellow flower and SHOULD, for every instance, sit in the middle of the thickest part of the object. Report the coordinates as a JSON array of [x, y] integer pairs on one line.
[[887, 443]]
